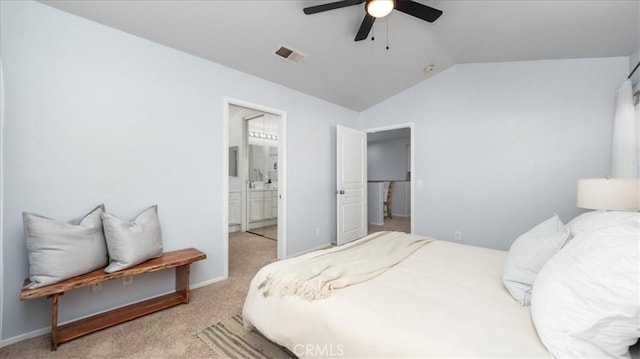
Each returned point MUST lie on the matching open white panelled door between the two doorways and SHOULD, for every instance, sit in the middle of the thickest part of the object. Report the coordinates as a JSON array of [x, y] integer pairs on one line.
[[351, 188]]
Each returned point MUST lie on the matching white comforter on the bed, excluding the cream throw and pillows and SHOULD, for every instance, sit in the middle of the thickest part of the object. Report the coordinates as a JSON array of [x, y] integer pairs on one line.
[[445, 300]]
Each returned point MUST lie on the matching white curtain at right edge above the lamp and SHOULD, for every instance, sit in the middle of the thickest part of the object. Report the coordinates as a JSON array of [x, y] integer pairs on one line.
[[624, 153]]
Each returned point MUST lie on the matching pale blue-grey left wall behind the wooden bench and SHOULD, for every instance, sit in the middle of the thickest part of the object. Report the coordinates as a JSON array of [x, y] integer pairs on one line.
[[95, 116]]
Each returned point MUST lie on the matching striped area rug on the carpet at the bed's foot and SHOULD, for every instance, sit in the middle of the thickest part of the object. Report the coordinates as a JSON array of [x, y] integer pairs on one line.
[[230, 340]]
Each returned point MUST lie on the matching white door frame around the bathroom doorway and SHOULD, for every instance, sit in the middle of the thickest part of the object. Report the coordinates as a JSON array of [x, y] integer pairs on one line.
[[282, 176]]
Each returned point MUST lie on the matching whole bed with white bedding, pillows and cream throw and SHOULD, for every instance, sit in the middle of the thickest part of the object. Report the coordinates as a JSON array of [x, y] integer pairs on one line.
[[560, 291]]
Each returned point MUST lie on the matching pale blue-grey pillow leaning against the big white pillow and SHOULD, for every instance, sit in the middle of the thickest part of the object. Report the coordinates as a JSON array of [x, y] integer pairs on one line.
[[529, 253]]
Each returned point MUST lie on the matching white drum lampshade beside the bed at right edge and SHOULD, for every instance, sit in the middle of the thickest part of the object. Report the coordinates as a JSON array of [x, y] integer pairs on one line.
[[614, 194]]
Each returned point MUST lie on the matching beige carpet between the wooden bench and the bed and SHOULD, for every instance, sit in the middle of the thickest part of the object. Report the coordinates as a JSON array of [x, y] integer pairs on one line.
[[170, 333]]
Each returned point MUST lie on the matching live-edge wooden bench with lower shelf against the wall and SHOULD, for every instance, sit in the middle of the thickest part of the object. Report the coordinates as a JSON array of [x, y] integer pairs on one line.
[[180, 260]]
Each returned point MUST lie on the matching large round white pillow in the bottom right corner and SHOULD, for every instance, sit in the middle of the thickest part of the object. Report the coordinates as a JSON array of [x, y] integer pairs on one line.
[[585, 300]]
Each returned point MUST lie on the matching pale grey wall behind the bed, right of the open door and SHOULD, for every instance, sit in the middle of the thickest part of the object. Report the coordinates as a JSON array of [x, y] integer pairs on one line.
[[500, 146]]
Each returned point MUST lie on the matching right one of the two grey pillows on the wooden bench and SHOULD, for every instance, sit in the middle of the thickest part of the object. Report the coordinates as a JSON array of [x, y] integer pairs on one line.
[[132, 242]]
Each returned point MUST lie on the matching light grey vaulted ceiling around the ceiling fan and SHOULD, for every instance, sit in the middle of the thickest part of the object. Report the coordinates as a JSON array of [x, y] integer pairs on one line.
[[244, 35]]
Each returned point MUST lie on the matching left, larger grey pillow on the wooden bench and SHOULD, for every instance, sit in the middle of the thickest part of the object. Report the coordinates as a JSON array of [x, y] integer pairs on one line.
[[59, 250]]
